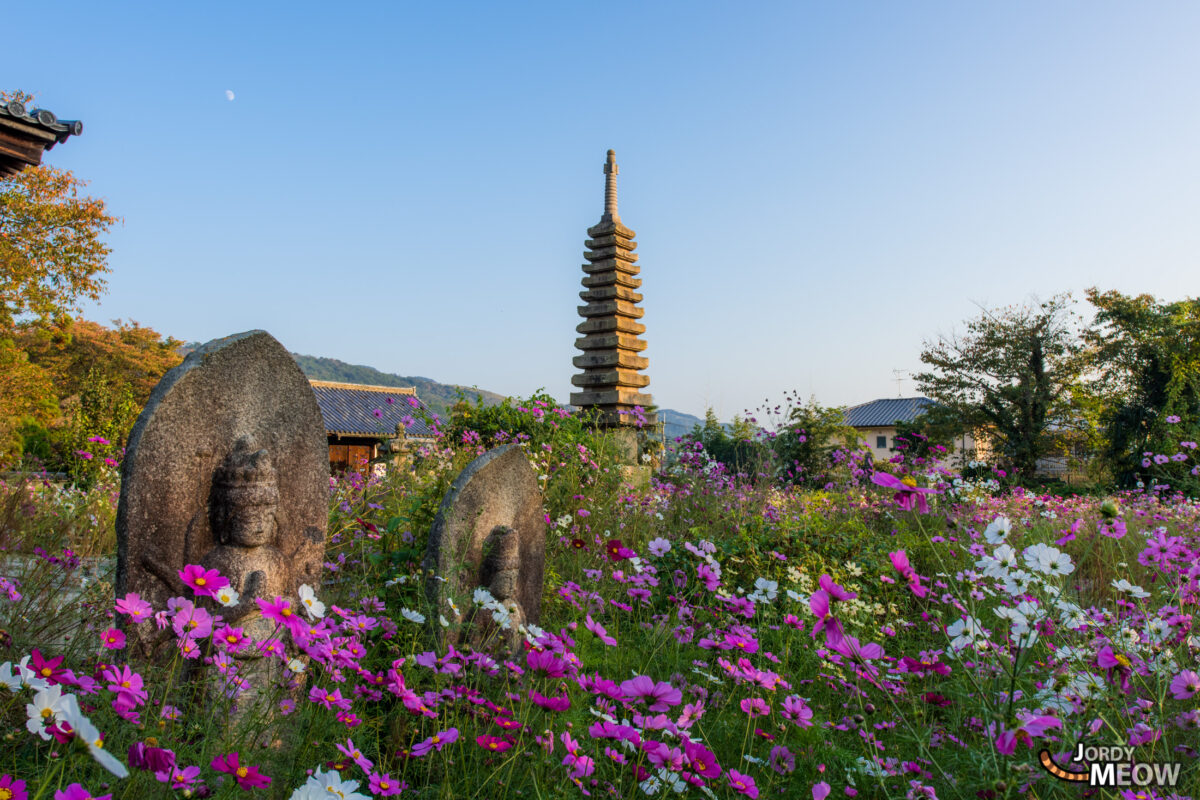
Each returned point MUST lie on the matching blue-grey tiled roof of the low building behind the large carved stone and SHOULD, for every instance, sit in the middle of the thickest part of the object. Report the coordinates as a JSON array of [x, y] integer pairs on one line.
[[362, 411]]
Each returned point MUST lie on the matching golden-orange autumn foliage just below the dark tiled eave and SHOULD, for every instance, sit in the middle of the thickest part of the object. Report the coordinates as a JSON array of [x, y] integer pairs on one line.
[[52, 254]]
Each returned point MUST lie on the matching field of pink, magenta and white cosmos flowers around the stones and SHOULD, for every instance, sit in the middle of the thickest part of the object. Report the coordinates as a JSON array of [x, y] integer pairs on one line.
[[899, 634]]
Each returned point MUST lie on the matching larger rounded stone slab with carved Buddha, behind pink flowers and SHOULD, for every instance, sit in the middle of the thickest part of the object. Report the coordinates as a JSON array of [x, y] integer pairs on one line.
[[227, 467]]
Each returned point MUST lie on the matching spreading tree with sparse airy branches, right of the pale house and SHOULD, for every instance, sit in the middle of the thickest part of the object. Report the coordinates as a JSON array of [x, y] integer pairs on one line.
[[1011, 377]]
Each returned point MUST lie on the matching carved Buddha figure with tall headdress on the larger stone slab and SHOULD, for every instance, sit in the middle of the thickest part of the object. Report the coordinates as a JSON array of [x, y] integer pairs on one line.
[[245, 528]]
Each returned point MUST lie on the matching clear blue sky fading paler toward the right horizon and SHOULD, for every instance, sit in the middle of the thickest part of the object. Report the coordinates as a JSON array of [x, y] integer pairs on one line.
[[817, 188]]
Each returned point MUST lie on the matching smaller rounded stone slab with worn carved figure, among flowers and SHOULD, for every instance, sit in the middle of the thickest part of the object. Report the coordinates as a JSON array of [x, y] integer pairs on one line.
[[490, 532]]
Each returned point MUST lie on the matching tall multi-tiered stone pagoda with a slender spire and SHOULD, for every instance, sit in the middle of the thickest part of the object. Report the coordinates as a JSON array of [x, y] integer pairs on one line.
[[611, 380]]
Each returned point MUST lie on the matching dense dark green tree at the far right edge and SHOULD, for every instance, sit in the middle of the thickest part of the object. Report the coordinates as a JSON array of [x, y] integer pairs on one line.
[[1148, 354]]
